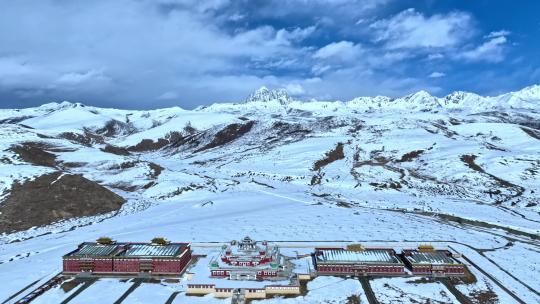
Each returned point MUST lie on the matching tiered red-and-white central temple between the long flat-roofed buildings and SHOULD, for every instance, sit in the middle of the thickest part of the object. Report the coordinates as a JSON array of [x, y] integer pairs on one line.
[[255, 270]]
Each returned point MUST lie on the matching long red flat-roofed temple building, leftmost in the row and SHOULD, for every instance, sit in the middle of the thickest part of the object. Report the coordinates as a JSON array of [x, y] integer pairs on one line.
[[160, 258]]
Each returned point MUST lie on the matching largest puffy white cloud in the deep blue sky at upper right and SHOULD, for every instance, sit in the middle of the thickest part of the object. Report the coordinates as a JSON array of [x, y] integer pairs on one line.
[[411, 29]]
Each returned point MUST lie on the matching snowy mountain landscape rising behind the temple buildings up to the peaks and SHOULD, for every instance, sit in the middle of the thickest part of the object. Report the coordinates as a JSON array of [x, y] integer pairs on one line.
[[458, 168]]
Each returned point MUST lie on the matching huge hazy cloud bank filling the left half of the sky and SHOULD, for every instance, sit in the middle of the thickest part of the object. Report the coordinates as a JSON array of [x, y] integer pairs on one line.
[[135, 43]]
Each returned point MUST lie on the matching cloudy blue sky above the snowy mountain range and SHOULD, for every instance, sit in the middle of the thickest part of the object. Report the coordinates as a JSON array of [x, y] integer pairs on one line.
[[149, 54]]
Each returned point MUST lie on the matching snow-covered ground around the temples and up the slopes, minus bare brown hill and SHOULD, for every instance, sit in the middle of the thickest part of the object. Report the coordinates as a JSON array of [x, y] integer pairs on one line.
[[460, 176]]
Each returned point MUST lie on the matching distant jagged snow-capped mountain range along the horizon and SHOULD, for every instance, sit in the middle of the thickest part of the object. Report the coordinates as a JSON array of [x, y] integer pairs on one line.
[[279, 99]]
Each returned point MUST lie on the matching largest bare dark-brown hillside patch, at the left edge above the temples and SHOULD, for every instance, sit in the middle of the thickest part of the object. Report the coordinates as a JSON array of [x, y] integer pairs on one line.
[[53, 197]]
